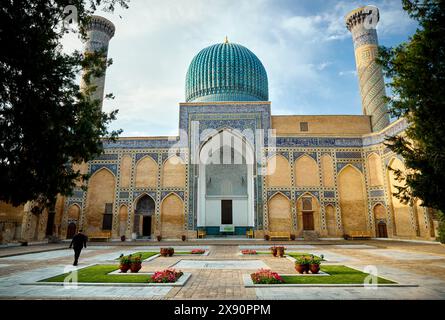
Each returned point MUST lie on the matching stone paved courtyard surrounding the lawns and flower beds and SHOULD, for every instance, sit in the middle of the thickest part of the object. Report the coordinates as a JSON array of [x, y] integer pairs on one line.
[[219, 275]]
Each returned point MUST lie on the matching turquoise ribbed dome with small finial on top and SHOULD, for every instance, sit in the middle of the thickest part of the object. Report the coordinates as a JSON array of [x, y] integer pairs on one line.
[[226, 72]]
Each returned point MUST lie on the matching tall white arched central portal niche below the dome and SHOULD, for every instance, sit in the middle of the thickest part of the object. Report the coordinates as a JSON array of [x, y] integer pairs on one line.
[[225, 184]]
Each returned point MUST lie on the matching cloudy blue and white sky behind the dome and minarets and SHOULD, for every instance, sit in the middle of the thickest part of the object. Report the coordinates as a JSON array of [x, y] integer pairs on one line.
[[304, 46]]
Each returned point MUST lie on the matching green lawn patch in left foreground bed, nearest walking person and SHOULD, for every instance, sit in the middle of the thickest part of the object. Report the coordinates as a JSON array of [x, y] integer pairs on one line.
[[99, 274]]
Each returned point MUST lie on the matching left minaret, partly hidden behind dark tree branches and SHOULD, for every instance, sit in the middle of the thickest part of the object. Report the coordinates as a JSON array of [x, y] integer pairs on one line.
[[99, 32]]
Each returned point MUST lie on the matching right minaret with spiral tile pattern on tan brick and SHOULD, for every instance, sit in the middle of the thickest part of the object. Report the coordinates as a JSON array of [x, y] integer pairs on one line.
[[362, 22]]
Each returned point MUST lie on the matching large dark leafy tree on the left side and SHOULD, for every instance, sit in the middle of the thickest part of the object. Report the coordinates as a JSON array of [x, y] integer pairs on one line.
[[46, 123]]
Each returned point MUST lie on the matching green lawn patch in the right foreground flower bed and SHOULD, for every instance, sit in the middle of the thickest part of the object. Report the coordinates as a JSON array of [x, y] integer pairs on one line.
[[338, 275]]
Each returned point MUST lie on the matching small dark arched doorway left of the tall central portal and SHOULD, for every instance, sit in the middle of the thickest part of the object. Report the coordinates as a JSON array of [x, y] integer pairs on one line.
[[145, 208]]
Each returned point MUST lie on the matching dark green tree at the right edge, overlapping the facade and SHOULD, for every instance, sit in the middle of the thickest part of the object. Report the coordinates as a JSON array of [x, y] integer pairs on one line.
[[416, 70]]
